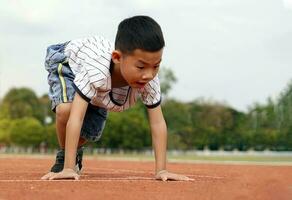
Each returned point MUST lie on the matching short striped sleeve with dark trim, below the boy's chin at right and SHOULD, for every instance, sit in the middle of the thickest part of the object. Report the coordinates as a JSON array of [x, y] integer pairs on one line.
[[151, 95]]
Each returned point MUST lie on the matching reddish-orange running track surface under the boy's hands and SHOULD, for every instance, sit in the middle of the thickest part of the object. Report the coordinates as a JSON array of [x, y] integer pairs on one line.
[[124, 180]]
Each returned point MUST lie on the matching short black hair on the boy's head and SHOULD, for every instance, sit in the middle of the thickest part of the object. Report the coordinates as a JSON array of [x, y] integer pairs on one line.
[[139, 32]]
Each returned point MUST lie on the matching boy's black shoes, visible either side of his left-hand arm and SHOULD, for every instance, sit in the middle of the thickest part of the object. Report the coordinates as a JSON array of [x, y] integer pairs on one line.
[[60, 159]]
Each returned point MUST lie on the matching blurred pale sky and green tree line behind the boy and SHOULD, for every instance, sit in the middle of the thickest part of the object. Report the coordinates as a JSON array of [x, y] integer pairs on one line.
[[226, 72]]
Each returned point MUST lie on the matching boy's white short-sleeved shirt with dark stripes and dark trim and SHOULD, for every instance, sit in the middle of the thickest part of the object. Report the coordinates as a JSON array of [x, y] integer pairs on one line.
[[90, 61]]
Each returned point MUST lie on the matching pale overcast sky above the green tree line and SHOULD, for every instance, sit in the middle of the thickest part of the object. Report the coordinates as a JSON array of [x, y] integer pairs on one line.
[[234, 51]]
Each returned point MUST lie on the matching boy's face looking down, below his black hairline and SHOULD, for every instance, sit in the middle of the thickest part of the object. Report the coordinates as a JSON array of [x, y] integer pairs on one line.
[[140, 67]]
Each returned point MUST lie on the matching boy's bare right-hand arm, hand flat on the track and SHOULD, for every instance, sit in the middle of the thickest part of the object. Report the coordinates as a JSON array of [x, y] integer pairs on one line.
[[159, 141]]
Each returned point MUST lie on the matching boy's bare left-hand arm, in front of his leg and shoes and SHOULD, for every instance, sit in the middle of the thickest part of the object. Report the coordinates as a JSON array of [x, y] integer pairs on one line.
[[74, 124]]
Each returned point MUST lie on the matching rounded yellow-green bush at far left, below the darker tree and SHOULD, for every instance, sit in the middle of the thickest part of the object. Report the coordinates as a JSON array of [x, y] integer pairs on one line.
[[27, 132]]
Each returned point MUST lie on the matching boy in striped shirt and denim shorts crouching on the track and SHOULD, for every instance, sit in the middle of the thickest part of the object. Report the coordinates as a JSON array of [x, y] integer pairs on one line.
[[88, 76]]
